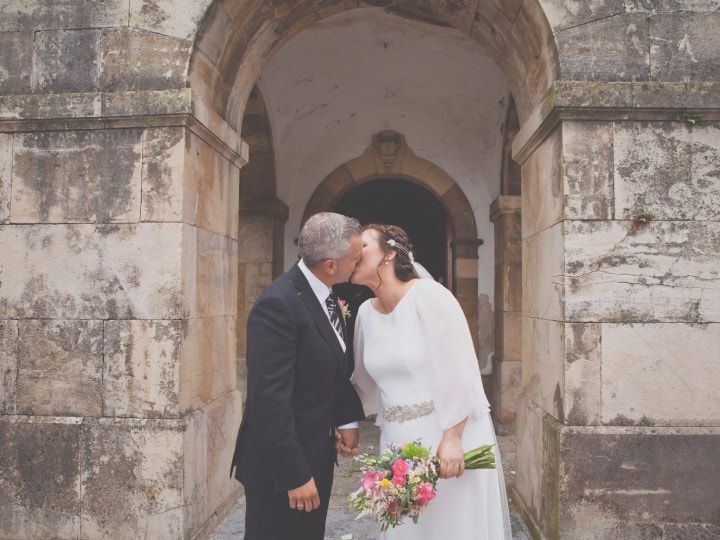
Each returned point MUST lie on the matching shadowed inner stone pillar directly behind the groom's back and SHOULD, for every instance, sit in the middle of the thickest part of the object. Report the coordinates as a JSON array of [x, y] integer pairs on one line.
[[261, 260]]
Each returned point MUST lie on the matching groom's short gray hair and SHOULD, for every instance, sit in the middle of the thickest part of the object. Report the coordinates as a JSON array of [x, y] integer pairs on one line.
[[327, 235]]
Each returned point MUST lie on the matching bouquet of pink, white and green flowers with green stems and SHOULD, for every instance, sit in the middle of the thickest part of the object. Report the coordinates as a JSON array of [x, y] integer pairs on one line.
[[402, 481]]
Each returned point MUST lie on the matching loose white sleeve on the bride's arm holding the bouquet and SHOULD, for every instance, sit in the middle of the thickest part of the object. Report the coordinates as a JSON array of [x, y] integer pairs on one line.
[[451, 361]]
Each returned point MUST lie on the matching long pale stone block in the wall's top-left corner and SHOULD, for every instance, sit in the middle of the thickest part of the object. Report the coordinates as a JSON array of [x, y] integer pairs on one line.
[[32, 15]]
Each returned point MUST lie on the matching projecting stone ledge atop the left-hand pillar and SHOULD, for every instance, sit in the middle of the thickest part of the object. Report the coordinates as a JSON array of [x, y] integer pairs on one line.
[[132, 109]]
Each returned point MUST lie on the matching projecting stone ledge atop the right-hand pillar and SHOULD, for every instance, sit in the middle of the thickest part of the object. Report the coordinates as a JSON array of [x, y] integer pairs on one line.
[[608, 101]]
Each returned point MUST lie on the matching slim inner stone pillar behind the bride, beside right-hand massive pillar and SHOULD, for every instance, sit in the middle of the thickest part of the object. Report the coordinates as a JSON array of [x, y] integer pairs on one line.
[[507, 372]]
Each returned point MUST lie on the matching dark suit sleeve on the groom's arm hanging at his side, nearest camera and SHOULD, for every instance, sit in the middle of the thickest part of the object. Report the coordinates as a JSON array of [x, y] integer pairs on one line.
[[272, 337]]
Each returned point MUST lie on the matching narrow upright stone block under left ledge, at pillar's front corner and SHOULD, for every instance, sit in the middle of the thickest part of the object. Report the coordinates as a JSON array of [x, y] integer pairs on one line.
[[162, 174]]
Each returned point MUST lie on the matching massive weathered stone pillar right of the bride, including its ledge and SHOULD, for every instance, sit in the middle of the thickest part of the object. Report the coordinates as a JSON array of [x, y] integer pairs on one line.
[[619, 413]]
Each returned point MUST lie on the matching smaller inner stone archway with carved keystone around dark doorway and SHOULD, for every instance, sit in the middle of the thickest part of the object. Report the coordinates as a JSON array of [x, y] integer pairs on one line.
[[389, 156]]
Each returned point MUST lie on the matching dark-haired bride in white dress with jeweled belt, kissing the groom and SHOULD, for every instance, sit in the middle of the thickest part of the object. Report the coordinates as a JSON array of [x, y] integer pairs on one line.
[[415, 366]]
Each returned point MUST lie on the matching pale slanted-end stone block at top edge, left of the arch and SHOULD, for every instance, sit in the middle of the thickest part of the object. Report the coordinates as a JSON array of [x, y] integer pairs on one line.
[[179, 19]]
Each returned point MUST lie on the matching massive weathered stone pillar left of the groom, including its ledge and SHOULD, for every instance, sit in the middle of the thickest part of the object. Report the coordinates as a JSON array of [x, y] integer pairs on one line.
[[118, 287]]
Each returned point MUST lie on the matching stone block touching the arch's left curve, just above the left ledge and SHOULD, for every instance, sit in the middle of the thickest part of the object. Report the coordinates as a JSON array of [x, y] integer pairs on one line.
[[137, 59]]
